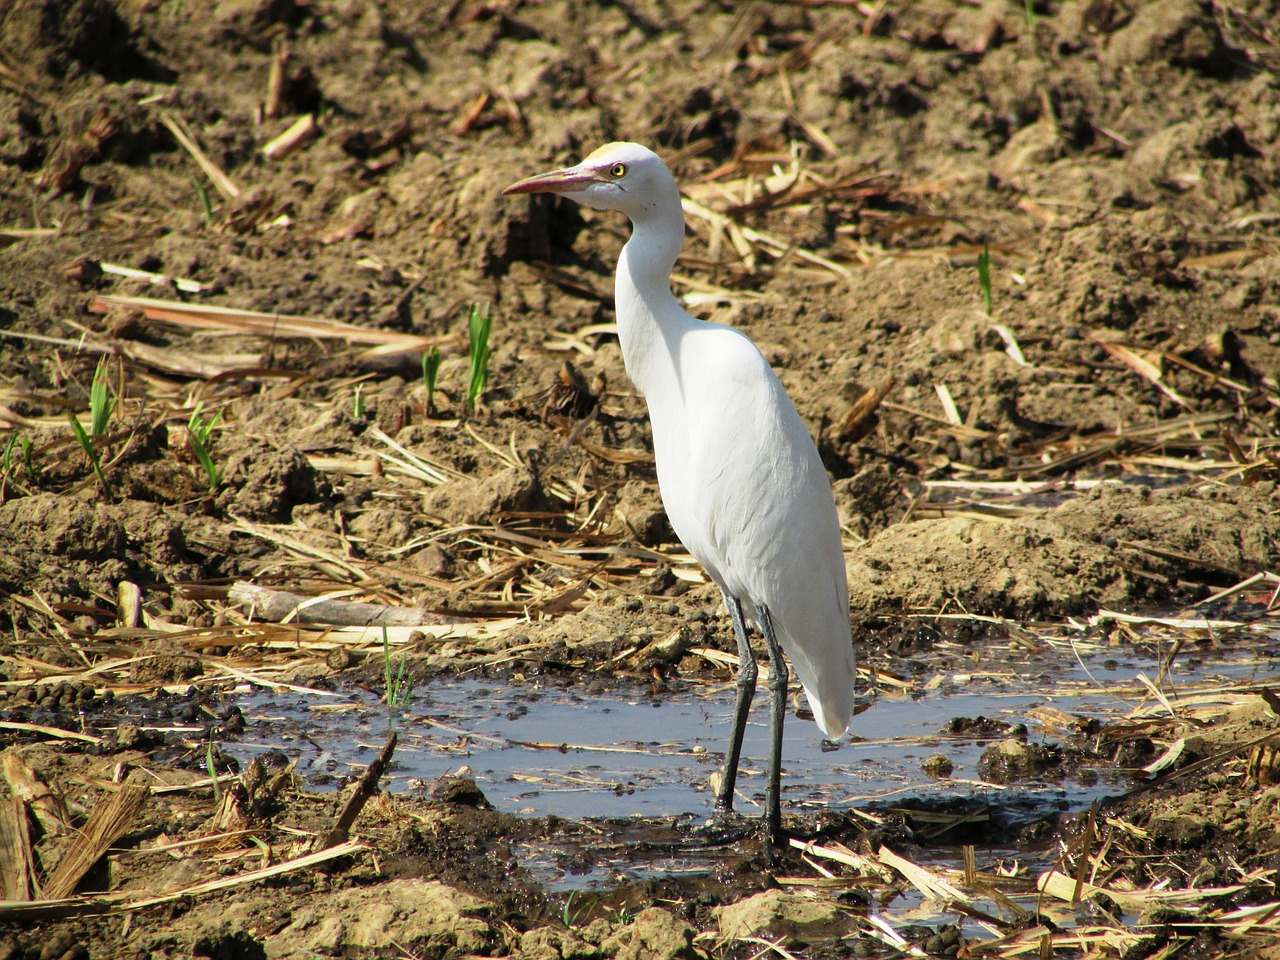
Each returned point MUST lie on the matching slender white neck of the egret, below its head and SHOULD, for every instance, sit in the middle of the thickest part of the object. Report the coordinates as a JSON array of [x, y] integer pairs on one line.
[[650, 318]]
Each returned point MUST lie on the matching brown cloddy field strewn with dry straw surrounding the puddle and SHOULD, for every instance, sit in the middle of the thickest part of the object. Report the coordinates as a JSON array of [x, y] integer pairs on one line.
[[1103, 435]]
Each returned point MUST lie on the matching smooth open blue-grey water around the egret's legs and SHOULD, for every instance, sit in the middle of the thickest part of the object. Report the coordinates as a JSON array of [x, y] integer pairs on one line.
[[540, 749]]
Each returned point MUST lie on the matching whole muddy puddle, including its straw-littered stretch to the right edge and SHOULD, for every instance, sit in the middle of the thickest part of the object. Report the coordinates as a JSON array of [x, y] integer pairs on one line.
[[537, 748]]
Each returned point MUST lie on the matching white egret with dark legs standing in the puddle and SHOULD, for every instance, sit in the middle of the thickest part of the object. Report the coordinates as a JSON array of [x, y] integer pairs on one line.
[[739, 474]]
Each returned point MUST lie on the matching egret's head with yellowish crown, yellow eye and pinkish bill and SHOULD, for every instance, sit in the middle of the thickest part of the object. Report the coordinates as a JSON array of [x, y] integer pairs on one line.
[[625, 177]]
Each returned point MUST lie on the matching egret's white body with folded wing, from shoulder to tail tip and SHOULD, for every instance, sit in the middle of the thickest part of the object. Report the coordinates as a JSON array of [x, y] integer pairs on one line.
[[748, 496]]
